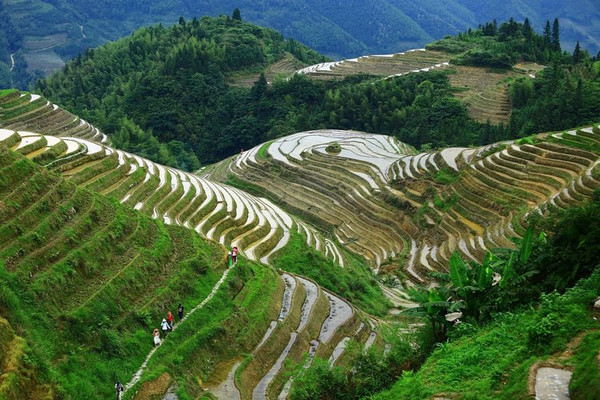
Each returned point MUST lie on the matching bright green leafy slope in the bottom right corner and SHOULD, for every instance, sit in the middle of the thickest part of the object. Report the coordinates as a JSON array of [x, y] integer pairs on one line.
[[492, 362]]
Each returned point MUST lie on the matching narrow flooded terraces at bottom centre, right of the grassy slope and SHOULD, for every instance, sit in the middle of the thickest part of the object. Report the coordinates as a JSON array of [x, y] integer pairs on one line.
[[310, 320]]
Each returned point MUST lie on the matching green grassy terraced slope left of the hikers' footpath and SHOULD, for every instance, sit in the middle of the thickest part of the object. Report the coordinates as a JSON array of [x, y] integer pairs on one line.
[[85, 280]]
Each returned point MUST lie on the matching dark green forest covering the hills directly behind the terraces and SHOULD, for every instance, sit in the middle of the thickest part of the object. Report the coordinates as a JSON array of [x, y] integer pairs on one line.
[[162, 92]]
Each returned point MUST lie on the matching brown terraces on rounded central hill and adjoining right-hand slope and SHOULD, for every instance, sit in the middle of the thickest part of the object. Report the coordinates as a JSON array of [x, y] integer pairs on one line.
[[398, 208]]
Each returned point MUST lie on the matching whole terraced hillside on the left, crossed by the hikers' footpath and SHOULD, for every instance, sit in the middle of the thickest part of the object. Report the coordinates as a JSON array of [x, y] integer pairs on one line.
[[105, 274]]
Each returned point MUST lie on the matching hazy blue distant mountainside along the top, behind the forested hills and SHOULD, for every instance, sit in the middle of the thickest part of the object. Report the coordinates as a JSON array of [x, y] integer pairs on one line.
[[45, 33]]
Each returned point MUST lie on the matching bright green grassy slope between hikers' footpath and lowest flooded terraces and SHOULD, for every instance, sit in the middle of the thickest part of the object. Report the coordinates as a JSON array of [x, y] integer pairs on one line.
[[229, 325]]
